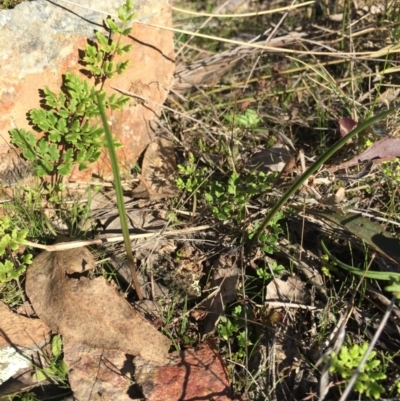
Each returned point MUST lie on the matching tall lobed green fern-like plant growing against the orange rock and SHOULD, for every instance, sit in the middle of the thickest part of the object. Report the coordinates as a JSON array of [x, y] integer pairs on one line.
[[68, 135]]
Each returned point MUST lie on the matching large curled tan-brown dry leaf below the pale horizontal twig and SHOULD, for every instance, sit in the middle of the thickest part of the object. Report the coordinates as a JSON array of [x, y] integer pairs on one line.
[[87, 311]]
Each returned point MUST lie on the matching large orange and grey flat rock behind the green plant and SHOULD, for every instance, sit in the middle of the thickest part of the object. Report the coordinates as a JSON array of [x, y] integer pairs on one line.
[[42, 40]]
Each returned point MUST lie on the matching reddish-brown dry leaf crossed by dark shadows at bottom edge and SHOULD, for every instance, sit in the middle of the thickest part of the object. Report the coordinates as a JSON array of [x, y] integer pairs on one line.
[[194, 374]]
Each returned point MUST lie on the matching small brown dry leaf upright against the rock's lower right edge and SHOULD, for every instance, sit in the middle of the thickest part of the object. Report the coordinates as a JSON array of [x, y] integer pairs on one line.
[[158, 169]]
